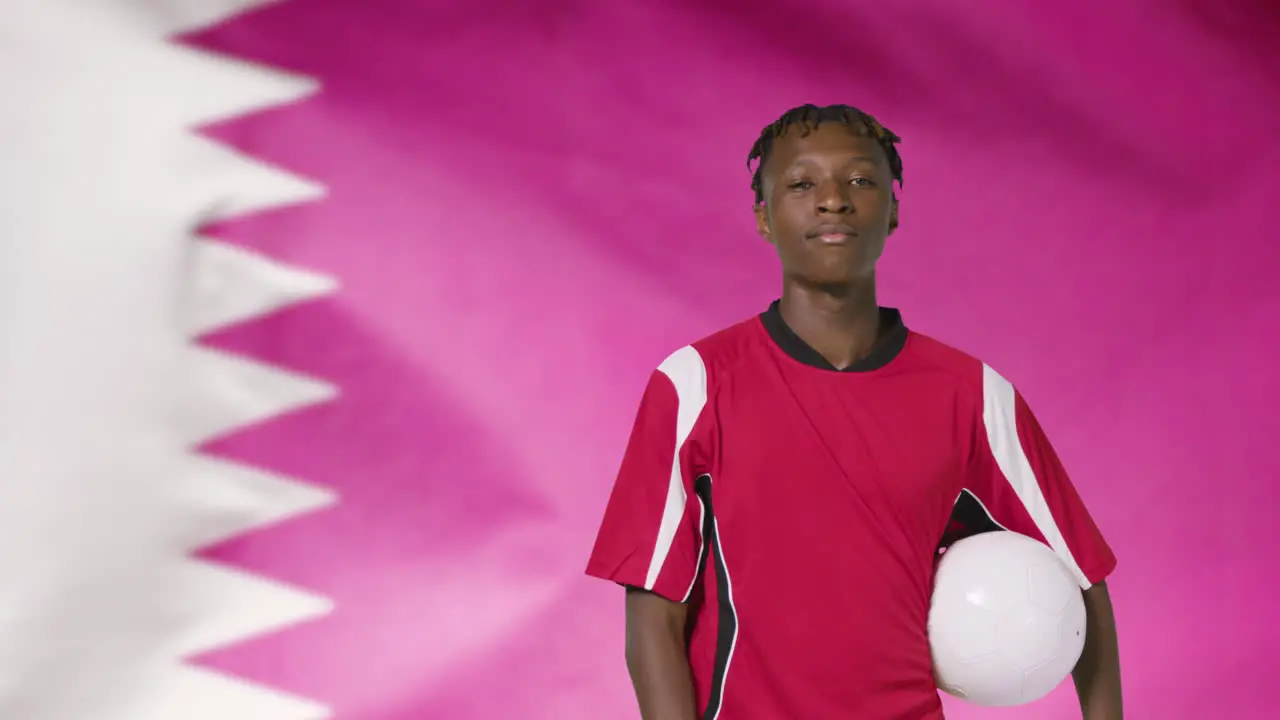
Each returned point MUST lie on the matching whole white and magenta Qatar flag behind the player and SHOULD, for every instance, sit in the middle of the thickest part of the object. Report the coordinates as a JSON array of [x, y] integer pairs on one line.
[[323, 322]]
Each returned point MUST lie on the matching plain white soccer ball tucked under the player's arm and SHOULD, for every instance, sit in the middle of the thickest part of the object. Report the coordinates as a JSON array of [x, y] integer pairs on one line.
[[1007, 623]]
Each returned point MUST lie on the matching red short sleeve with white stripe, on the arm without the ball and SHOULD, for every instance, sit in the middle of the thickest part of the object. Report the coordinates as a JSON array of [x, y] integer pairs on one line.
[[651, 536]]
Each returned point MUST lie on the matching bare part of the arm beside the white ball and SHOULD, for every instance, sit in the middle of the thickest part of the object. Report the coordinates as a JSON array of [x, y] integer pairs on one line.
[[1098, 675]]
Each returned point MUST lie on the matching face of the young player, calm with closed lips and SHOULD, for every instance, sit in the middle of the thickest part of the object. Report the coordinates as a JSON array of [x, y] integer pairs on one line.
[[829, 203]]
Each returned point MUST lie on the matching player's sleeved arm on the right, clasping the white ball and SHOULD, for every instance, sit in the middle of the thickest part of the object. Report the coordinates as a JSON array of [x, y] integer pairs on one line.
[[1025, 487]]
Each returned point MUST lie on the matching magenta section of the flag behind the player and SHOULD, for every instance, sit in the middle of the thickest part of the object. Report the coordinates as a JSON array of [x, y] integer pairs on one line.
[[532, 204]]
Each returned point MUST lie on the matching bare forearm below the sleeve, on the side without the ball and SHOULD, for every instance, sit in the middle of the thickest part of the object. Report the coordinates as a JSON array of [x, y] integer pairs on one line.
[[659, 657]]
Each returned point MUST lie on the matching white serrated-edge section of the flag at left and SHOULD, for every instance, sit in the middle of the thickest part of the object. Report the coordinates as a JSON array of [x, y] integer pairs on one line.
[[107, 504]]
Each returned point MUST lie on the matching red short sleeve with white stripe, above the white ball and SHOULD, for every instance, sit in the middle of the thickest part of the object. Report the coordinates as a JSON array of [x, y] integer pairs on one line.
[[1021, 482]]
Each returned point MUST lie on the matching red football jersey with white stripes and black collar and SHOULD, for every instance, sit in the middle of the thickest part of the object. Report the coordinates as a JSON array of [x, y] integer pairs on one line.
[[799, 509]]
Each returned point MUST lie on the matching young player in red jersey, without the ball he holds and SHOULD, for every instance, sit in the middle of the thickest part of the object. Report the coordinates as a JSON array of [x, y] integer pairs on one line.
[[790, 480]]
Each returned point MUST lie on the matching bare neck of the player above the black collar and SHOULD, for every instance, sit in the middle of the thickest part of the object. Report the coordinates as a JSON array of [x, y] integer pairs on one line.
[[843, 323]]
